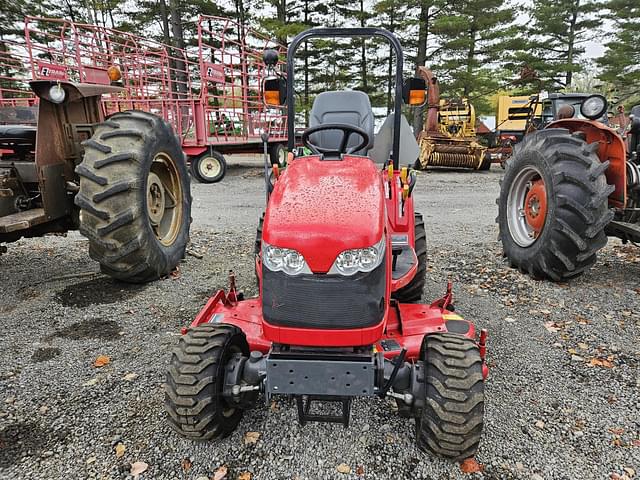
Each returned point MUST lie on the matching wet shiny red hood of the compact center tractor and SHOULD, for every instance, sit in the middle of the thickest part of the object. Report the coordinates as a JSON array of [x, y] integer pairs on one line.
[[322, 207]]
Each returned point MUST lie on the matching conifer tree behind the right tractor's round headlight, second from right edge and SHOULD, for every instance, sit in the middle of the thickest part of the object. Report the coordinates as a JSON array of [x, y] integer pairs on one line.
[[557, 34]]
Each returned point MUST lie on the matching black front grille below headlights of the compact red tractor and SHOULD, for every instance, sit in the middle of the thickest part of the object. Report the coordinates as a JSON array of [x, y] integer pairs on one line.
[[323, 301]]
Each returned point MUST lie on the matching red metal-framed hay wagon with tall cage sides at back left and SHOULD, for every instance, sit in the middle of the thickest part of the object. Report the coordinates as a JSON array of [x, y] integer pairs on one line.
[[209, 92]]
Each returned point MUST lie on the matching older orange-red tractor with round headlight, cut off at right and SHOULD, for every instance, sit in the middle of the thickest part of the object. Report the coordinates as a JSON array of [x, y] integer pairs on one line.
[[566, 188]]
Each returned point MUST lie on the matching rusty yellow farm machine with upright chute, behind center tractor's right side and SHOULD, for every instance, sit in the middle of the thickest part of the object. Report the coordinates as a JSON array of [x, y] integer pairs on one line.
[[448, 138]]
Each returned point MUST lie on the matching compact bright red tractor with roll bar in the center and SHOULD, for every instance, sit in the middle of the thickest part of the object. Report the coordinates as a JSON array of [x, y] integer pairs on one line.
[[341, 262]]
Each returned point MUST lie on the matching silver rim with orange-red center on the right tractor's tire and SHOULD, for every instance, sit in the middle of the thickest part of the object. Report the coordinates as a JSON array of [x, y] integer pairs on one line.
[[527, 206]]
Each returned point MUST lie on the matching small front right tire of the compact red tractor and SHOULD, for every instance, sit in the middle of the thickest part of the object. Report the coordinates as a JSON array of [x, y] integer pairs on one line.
[[451, 421]]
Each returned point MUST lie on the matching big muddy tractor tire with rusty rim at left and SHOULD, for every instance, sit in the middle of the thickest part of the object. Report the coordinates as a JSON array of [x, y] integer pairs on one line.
[[135, 197]]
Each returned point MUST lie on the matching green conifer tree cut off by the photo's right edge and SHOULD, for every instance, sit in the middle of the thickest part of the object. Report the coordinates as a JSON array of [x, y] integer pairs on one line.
[[621, 61]]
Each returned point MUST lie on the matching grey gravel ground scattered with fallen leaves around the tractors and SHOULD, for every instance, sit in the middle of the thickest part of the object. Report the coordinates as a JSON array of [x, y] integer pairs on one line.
[[563, 397]]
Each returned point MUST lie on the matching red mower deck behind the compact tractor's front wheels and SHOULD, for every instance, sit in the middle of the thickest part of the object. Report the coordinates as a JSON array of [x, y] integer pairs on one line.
[[406, 327]]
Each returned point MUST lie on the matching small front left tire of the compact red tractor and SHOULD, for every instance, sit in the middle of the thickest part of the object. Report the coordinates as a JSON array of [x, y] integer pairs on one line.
[[195, 406]]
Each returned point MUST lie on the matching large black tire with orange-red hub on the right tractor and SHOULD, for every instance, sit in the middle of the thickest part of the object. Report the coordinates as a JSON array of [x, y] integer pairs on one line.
[[553, 207]]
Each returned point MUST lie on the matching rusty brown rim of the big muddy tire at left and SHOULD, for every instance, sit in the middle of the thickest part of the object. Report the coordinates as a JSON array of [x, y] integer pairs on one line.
[[164, 199]]
